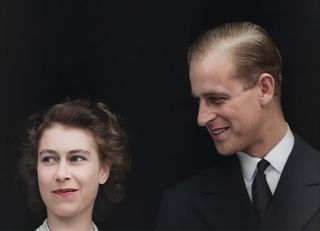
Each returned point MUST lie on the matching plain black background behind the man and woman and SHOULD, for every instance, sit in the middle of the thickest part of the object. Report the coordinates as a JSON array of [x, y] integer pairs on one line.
[[132, 55]]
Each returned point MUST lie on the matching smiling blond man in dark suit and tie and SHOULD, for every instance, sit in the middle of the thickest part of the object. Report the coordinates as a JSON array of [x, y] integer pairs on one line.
[[269, 177]]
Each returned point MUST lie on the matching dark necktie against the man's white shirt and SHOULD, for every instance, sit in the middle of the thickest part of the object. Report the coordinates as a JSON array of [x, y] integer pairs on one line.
[[261, 193]]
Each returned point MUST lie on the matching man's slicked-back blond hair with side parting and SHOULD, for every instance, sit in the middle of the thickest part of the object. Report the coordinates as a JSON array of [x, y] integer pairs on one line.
[[251, 48]]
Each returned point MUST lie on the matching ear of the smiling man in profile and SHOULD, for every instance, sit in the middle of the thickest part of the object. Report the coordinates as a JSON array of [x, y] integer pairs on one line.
[[266, 86]]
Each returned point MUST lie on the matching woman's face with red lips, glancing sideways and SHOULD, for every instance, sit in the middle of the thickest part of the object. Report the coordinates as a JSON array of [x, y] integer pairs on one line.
[[69, 170]]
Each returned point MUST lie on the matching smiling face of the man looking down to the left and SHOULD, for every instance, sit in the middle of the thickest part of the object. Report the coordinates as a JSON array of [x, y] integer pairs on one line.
[[231, 114]]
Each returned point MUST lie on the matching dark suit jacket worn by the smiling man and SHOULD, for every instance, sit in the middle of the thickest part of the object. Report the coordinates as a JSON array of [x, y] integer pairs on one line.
[[217, 199]]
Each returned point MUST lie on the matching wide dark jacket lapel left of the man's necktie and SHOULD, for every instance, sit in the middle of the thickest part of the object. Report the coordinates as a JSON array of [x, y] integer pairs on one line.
[[224, 202]]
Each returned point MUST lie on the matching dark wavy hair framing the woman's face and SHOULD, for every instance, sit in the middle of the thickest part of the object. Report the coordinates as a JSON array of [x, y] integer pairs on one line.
[[111, 142]]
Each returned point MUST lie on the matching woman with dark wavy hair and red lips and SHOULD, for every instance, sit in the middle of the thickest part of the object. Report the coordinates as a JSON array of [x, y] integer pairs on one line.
[[75, 160]]
